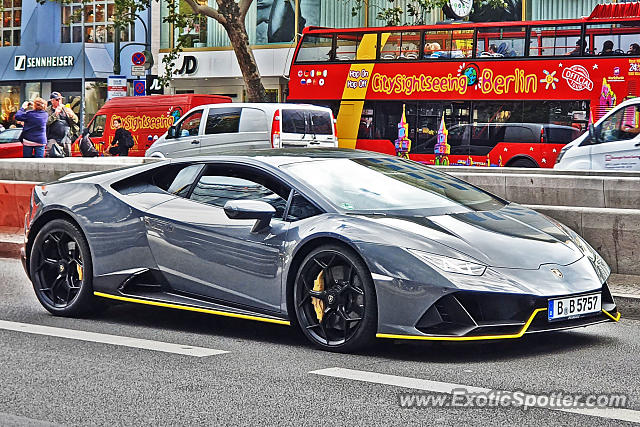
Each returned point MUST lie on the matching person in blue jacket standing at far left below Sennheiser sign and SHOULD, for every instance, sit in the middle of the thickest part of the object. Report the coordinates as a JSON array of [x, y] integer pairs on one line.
[[34, 132]]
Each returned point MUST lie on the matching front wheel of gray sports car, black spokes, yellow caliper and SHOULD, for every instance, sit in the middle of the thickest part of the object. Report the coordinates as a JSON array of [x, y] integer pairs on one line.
[[335, 300]]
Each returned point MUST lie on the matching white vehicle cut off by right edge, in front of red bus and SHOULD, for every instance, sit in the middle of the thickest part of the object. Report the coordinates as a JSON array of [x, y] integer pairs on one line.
[[613, 143]]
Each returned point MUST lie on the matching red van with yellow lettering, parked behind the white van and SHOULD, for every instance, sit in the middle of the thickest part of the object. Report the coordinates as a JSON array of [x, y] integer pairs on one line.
[[146, 117]]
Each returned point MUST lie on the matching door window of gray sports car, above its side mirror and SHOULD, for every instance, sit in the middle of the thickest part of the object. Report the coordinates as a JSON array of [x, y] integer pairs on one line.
[[220, 184]]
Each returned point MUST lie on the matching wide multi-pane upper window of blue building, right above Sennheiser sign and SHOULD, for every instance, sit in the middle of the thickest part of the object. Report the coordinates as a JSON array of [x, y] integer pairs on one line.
[[98, 23]]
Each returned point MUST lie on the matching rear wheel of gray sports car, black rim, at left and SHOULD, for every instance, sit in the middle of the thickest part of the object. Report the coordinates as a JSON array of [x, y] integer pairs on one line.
[[61, 269]]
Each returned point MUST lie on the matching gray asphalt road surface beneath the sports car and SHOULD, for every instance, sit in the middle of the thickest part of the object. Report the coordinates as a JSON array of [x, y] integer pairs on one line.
[[264, 377]]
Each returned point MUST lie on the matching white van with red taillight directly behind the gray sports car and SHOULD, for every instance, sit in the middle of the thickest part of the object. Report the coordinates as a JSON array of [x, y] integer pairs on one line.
[[214, 128]]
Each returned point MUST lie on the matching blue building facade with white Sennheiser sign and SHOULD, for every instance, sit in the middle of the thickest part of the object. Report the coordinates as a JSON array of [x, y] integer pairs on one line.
[[49, 47]]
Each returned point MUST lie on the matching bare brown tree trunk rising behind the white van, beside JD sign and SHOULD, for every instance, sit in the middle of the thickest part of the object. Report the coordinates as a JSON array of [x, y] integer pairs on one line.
[[240, 42]]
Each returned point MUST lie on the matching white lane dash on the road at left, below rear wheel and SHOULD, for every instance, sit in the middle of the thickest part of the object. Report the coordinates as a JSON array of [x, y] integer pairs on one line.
[[187, 350]]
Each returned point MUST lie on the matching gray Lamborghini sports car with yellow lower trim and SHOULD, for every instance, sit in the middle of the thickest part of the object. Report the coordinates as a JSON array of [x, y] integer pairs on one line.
[[346, 245]]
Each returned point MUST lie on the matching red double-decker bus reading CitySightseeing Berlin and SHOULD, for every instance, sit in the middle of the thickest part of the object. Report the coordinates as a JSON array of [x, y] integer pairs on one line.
[[511, 93]]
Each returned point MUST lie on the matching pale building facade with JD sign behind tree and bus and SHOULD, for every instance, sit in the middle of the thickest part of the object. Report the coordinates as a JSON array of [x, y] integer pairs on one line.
[[208, 64]]
